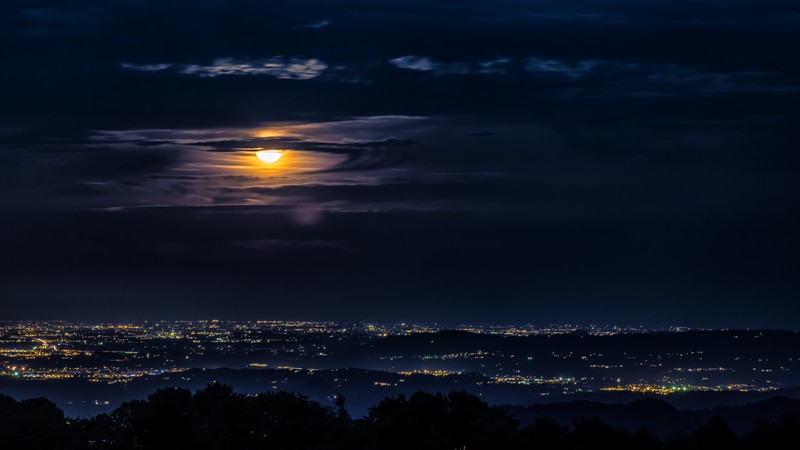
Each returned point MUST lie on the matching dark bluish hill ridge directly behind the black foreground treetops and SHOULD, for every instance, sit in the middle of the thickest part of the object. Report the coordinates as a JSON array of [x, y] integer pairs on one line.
[[362, 393]]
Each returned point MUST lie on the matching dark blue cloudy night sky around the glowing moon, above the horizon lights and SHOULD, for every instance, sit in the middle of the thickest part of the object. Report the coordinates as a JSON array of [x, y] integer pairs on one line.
[[628, 162]]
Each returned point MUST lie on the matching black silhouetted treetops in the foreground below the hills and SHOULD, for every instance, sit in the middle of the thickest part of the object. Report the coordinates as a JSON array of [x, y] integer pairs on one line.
[[216, 417]]
